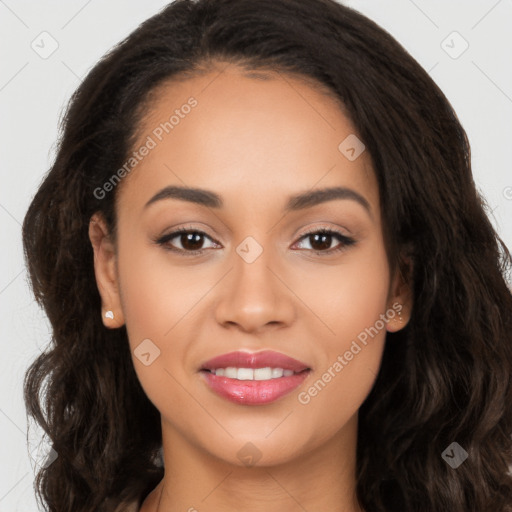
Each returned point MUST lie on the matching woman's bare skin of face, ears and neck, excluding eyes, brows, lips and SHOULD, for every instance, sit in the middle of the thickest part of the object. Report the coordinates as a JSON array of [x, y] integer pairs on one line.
[[254, 142]]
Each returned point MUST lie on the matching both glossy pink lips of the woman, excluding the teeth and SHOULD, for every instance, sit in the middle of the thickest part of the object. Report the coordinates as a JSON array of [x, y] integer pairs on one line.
[[254, 392]]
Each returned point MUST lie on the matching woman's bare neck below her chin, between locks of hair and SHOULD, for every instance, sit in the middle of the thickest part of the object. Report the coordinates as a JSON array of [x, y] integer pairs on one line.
[[322, 479]]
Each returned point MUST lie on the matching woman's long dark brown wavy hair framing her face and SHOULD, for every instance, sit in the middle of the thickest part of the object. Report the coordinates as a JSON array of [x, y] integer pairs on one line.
[[446, 377]]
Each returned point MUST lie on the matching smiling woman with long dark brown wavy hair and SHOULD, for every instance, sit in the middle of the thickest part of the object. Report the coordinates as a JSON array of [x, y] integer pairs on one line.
[[264, 260]]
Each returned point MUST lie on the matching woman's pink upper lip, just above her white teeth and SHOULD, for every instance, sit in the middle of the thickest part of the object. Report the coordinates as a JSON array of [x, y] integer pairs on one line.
[[265, 358]]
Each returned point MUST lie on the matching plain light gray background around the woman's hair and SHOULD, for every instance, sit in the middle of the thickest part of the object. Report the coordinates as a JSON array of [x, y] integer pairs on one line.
[[34, 90]]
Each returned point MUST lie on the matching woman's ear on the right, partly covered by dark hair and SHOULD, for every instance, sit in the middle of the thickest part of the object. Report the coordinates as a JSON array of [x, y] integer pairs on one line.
[[400, 296]]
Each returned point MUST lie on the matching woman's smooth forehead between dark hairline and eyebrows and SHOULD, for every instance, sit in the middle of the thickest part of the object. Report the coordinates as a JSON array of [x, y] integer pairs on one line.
[[258, 135]]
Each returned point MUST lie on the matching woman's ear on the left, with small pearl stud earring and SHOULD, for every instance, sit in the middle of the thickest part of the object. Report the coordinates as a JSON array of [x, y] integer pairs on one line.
[[105, 271]]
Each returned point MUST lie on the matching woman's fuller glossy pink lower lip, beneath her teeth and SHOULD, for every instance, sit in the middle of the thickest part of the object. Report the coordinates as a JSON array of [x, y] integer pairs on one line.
[[253, 392]]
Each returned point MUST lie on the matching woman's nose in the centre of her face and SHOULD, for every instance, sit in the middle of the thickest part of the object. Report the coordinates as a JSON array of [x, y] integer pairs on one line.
[[253, 296]]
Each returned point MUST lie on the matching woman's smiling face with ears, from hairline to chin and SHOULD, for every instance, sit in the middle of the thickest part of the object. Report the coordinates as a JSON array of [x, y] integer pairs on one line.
[[255, 282]]
